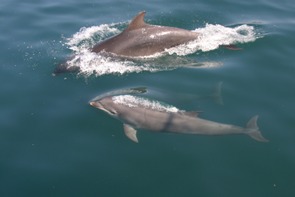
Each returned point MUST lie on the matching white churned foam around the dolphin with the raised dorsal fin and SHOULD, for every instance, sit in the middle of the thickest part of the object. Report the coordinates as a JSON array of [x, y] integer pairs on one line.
[[211, 37]]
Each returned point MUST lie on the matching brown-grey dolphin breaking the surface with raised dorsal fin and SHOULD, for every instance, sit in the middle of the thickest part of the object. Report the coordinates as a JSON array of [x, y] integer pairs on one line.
[[139, 39]]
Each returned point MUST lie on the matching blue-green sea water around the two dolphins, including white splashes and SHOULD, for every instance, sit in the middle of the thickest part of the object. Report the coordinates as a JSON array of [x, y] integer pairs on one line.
[[53, 143]]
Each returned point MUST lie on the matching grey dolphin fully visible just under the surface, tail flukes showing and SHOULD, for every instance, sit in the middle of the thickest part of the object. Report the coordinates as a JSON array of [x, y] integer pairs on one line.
[[139, 113]]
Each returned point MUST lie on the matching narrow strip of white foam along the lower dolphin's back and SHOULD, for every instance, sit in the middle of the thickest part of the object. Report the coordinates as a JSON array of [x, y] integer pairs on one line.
[[135, 101]]
